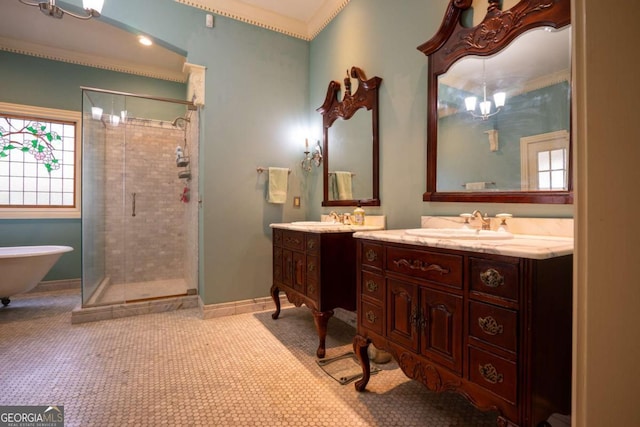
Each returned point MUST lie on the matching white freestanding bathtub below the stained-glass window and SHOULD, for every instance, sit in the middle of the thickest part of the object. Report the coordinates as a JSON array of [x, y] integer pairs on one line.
[[23, 267]]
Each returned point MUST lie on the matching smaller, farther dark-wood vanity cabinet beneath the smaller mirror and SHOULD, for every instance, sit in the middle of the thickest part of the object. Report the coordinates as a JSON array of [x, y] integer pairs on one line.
[[317, 270]]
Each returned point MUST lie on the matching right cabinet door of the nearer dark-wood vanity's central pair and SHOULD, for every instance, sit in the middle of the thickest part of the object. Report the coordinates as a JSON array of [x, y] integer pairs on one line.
[[441, 336]]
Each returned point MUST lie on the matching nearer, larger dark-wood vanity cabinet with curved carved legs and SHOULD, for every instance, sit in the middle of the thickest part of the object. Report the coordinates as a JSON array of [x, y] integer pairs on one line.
[[494, 328]]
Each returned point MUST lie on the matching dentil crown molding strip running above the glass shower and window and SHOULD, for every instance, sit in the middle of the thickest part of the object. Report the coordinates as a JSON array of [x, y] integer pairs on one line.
[[88, 60]]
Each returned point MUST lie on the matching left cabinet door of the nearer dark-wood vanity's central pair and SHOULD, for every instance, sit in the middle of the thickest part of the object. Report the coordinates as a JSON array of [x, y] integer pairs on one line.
[[402, 309]]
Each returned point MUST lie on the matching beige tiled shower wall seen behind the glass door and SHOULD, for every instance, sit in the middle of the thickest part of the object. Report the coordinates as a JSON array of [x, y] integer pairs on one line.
[[146, 242]]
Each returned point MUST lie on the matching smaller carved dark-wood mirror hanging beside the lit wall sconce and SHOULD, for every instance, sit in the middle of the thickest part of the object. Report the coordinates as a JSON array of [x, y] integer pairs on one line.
[[350, 145]]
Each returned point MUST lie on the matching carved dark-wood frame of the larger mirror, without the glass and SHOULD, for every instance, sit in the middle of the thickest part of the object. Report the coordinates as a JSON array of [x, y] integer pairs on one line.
[[452, 42]]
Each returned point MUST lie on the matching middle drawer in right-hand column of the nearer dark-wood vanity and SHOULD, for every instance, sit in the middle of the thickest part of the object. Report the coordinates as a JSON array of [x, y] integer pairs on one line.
[[494, 325]]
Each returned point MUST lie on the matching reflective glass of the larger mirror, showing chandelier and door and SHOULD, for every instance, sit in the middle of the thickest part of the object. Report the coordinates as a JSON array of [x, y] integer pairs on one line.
[[484, 154]]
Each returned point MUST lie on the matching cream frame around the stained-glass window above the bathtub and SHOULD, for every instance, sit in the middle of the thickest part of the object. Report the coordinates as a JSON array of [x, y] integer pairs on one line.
[[52, 114]]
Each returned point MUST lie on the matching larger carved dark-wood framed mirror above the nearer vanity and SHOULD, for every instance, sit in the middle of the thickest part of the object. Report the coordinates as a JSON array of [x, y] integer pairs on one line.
[[499, 120]]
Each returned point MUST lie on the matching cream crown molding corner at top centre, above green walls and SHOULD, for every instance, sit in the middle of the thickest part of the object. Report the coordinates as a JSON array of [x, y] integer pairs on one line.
[[253, 15]]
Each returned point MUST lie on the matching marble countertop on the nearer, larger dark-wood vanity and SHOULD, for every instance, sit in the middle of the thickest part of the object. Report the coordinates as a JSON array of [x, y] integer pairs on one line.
[[522, 245]]
